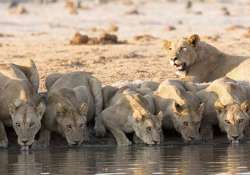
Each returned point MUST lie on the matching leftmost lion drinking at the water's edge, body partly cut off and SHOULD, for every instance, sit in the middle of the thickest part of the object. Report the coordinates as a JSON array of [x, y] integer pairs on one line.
[[21, 107]]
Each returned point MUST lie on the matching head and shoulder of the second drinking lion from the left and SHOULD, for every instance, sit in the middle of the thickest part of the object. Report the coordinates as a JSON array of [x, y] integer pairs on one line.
[[70, 115]]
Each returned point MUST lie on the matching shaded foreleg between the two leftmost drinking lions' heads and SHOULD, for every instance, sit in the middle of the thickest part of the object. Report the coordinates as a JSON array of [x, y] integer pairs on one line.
[[44, 139]]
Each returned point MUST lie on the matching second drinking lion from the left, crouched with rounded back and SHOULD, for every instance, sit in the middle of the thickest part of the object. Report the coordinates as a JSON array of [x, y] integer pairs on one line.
[[73, 101]]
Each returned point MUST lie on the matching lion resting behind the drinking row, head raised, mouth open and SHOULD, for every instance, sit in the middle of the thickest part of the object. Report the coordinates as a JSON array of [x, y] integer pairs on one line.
[[198, 61]]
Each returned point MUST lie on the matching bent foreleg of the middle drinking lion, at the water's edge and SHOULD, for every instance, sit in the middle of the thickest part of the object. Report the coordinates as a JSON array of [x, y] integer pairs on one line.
[[120, 137]]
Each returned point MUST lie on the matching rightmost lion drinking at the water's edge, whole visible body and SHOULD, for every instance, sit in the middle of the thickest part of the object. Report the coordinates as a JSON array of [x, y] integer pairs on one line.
[[227, 105]]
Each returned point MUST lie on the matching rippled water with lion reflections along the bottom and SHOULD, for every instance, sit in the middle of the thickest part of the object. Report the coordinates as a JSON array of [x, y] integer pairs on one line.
[[137, 160]]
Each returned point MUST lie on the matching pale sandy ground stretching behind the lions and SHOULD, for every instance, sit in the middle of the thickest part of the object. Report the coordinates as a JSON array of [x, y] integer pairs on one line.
[[44, 34]]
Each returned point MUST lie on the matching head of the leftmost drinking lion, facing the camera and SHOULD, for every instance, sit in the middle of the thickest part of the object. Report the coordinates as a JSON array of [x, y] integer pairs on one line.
[[26, 121]]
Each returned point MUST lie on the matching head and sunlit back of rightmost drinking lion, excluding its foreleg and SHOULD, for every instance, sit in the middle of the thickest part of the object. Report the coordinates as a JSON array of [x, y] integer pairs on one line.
[[231, 104]]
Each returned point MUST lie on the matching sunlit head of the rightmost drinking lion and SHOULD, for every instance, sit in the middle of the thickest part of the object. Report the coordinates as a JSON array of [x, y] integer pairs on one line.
[[233, 119]]
